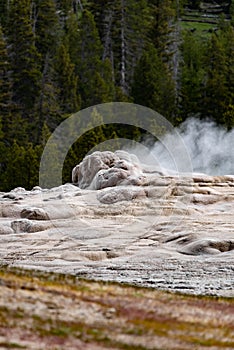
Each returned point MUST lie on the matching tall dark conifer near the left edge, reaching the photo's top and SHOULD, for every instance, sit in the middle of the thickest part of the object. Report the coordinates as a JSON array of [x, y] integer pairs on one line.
[[24, 57]]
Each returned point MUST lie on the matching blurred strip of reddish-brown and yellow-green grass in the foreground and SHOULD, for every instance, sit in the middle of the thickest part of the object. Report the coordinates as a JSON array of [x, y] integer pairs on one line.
[[53, 311]]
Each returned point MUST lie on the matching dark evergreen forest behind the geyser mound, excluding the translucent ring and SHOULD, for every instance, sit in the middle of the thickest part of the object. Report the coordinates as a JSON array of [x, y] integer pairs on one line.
[[60, 56]]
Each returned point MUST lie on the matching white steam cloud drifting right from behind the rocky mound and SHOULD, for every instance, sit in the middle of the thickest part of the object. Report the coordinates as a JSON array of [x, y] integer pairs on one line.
[[210, 148]]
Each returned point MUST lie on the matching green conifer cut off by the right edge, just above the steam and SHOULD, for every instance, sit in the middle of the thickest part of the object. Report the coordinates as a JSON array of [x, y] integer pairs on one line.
[[219, 88]]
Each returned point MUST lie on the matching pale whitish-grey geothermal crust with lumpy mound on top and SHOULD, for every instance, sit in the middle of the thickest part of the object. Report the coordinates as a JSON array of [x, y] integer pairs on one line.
[[124, 221]]
